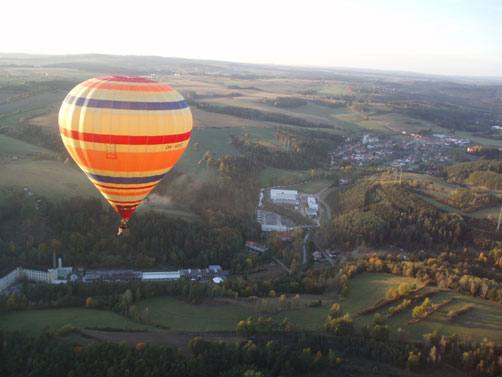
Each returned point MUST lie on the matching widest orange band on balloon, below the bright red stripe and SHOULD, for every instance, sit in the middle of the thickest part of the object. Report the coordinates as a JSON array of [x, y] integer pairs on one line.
[[126, 162]]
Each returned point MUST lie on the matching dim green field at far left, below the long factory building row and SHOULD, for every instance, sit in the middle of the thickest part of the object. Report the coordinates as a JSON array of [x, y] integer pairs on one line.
[[34, 322]]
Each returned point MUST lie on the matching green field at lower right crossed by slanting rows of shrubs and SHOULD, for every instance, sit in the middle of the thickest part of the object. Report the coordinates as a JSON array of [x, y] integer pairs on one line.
[[484, 321]]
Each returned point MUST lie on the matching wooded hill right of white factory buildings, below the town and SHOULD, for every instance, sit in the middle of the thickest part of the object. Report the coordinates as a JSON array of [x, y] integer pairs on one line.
[[379, 214]]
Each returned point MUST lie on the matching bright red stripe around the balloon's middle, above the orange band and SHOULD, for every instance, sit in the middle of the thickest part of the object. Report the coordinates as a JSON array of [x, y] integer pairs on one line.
[[126, 139]]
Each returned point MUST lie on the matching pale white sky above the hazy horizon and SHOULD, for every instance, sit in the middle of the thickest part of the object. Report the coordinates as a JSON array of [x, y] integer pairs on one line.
[[452, 37]]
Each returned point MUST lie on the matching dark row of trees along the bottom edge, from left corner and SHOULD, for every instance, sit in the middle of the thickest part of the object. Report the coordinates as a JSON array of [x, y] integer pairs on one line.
[[47, 356]]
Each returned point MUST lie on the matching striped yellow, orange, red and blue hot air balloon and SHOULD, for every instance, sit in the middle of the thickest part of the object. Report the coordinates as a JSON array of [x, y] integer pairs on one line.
[[125, 133]]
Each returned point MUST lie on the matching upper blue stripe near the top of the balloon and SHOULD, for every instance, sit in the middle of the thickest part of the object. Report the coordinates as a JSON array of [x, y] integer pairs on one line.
[[125, 105]]
